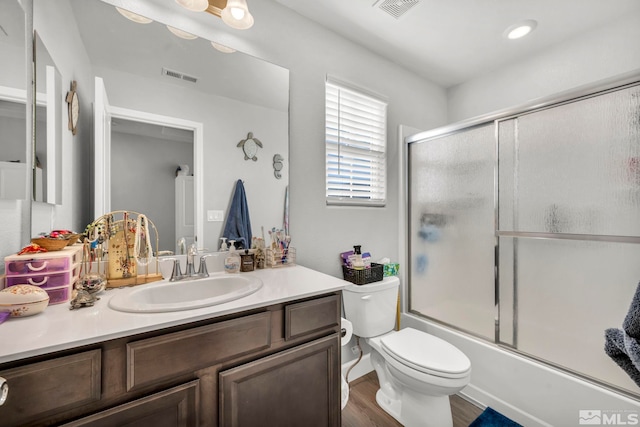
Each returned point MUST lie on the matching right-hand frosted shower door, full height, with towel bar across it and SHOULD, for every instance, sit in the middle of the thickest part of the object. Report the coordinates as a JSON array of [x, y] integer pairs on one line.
[[569, 229]]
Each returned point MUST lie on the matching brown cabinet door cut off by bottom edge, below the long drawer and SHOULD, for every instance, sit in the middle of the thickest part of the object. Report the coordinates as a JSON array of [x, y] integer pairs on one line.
[[175, 407]]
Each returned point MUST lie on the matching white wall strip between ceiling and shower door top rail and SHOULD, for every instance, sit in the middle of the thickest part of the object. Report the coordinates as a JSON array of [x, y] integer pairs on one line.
[[599, 54]]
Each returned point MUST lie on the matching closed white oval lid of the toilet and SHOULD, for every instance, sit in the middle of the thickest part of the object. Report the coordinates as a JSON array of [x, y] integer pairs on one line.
[[426, 353]]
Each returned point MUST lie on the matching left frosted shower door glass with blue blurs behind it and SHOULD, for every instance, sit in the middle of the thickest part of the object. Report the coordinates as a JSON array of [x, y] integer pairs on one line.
[[452, 229]]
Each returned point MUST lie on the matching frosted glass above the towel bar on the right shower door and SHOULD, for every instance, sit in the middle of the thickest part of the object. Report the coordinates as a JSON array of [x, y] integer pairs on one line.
[[578, 167]]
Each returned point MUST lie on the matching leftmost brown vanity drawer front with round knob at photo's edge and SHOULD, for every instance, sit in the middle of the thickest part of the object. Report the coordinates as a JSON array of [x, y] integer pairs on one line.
[[46, 388]]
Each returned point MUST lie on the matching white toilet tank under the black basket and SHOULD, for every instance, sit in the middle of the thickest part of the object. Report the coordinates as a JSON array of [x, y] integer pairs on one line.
[[371, 308]]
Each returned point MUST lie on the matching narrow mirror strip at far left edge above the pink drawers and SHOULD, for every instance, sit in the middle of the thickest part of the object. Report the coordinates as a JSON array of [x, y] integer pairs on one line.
[[13, 95]]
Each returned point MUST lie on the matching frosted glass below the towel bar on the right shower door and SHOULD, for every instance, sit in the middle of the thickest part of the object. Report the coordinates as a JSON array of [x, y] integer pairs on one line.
[[568, 293]]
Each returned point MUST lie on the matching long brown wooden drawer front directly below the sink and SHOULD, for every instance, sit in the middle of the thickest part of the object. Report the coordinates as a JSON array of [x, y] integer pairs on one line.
[[164, 357]]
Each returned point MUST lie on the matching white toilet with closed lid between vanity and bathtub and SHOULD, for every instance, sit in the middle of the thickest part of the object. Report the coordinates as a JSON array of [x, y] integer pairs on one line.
[[417, 371]]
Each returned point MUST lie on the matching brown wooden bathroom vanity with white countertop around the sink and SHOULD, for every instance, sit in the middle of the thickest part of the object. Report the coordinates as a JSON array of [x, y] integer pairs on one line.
[[272, 358]]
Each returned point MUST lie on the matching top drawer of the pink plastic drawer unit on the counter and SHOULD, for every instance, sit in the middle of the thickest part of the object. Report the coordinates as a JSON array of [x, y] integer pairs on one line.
[[43, 263]]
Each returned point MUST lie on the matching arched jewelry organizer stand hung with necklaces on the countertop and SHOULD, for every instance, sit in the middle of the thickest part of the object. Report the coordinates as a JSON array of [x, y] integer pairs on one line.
[[127, 242]]
